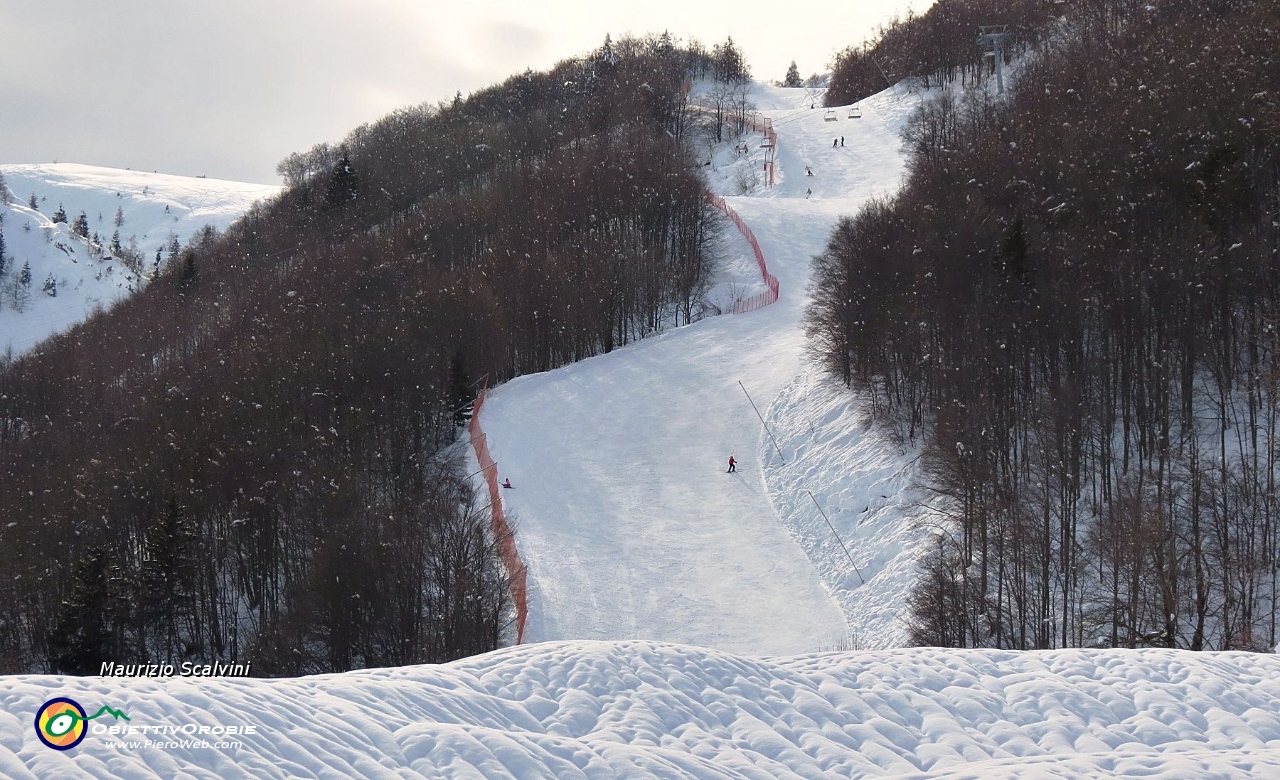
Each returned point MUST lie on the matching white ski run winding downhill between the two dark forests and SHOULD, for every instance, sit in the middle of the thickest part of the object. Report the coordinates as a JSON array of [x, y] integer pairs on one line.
[[627, 518]]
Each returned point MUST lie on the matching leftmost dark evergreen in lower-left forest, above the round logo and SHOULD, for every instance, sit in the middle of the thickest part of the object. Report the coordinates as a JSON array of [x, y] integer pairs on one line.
[[81, 640]]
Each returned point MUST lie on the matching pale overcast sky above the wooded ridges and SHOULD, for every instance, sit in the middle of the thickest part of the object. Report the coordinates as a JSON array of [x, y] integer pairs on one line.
[[227, 89]]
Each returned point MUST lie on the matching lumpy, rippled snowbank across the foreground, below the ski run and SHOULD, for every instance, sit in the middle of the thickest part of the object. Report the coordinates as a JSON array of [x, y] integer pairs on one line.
[[651, 710]]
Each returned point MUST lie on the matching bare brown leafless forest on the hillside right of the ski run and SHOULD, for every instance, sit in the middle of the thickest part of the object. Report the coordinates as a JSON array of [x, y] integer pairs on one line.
[[1072, 308]]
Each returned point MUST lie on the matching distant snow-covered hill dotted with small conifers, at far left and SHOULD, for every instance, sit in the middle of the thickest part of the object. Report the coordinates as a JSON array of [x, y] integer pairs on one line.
[[153, 209]]
